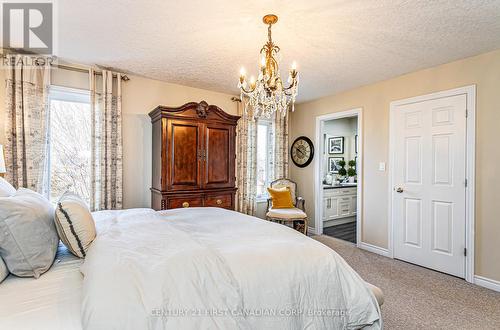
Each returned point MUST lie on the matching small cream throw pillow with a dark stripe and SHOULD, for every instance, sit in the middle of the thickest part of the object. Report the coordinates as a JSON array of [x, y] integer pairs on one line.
[[74, 224]]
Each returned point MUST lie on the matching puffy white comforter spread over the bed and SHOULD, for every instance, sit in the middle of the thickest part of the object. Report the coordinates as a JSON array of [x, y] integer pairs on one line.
[[209, 268]]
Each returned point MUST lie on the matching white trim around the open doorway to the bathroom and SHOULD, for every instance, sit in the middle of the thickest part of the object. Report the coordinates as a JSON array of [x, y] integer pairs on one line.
[[318, 172]]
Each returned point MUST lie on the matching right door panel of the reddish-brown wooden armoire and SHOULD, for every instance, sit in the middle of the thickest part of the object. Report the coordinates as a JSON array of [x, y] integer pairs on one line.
[[217, 167]]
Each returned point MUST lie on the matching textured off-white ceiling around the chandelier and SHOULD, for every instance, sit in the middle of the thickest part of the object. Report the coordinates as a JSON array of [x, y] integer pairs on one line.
[[338, 45]]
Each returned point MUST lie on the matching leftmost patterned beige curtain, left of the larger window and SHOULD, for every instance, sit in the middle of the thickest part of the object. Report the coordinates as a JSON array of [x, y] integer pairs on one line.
[[26, 149]]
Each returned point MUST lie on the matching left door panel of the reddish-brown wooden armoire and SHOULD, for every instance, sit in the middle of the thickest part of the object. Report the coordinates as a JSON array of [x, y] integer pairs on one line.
[[184, 144]]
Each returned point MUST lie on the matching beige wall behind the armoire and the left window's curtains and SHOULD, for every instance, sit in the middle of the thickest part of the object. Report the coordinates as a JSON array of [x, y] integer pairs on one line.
[[140, 96]]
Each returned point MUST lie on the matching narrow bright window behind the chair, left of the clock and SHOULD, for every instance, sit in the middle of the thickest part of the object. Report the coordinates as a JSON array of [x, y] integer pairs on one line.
[[264, 158]]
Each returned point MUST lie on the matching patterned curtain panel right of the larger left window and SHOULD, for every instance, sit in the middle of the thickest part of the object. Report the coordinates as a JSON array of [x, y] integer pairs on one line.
[[106, 167]]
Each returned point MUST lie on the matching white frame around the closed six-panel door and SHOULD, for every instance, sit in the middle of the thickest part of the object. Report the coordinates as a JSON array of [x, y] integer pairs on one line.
[[470, 92]]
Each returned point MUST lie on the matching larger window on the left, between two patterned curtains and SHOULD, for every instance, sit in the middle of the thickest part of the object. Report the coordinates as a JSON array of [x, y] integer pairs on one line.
[[69, 142]]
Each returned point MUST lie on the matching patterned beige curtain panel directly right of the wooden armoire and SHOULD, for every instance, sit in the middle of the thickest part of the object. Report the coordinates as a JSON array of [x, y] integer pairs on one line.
[[246, 162]]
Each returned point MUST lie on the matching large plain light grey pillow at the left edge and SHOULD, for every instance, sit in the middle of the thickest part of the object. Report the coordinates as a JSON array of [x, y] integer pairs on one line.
[[28, 237]]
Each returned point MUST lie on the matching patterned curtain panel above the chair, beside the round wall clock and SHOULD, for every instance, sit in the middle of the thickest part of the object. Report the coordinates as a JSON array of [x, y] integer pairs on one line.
[[280, 147]]
